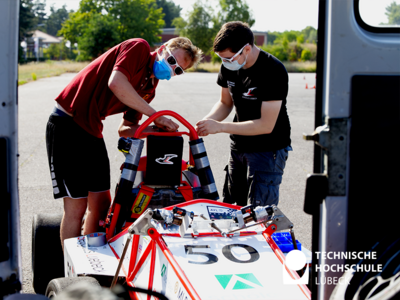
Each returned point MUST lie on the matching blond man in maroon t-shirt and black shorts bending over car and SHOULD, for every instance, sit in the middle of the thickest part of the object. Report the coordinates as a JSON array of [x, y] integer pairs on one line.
[[122, 80]]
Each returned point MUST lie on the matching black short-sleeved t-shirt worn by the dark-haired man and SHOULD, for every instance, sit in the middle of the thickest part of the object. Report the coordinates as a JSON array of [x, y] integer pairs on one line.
[[266, 80]]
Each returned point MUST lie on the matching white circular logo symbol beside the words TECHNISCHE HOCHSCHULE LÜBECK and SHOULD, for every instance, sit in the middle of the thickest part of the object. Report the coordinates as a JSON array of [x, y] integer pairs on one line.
[[295, 261]]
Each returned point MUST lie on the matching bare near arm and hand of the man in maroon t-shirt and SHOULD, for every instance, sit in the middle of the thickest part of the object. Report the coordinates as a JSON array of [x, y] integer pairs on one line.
[[123, 90]]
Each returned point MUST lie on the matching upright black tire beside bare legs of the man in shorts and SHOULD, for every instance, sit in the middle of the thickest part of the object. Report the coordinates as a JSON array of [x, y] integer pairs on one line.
[[47, 253]]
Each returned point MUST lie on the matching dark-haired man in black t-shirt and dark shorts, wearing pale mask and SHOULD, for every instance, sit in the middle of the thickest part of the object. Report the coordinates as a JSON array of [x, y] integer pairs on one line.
[[256, 84]]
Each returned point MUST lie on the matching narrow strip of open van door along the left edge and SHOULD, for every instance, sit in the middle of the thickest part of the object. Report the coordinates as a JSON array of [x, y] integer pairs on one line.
[[10, 253]]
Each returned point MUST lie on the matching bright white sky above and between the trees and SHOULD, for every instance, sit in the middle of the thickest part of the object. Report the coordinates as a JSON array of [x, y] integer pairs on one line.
[[278, 15]]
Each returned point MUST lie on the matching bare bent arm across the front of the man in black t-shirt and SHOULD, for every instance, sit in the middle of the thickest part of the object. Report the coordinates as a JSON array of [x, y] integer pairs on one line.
[[264, 125]]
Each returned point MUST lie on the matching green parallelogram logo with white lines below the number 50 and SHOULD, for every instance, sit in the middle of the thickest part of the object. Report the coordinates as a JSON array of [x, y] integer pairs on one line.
[[238, 281]]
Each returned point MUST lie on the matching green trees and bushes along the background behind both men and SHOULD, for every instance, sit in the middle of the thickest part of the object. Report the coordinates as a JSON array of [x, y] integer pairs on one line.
[[100, 24]]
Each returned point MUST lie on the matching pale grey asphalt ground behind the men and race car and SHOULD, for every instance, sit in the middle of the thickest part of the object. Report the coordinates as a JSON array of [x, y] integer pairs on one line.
[[191, 96]]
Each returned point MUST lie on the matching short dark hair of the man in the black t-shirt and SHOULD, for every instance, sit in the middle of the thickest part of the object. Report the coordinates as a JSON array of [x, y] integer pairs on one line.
[[233, 35]]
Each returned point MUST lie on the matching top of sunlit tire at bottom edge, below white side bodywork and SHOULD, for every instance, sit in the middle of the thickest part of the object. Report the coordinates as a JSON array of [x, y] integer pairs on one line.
[[58, 285]]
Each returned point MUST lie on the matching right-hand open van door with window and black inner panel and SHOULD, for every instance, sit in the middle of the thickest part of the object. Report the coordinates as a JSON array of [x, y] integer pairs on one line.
[[353, 194]]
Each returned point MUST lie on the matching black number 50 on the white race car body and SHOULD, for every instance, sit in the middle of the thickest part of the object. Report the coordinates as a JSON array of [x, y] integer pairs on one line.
[[226, 251]]
